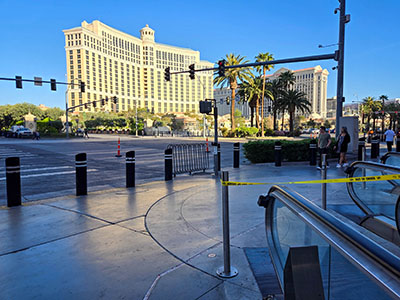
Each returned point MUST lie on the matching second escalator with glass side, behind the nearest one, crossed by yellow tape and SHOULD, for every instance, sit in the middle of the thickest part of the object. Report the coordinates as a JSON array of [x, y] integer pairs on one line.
[[377, 200]]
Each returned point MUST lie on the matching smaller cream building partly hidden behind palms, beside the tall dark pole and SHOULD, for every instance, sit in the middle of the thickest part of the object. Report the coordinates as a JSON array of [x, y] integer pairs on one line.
[[313, 82]]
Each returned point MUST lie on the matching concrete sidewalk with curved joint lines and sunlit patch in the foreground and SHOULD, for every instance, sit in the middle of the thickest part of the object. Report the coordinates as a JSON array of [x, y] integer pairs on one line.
[[160, 240]]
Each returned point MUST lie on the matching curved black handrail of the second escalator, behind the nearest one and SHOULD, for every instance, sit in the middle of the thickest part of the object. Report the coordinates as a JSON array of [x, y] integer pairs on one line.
[[372, 166]]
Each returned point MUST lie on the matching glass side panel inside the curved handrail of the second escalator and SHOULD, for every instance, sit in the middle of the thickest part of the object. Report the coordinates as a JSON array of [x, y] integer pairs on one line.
[[379, 196]]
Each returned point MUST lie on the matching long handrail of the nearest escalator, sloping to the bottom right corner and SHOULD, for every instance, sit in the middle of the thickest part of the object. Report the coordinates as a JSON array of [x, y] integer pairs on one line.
[[382, 262]]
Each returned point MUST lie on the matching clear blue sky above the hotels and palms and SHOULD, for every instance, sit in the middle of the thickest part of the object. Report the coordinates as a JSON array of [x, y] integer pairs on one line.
[[32, 41]]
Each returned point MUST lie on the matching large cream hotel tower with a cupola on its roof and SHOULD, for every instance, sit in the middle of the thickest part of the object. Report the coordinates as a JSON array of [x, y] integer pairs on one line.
[[113, 63]]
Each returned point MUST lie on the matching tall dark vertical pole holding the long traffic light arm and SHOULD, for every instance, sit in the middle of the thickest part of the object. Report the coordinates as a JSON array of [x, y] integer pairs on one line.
[[340, 69]]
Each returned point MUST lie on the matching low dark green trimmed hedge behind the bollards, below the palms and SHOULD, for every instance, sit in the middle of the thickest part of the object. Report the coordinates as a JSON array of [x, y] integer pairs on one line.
[[263, 151]]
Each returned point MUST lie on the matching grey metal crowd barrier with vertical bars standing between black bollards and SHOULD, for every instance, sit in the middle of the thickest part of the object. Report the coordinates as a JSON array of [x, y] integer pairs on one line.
[[188, 158]]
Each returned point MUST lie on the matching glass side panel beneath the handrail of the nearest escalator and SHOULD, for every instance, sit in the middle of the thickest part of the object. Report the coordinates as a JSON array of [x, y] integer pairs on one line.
[[341, 279]]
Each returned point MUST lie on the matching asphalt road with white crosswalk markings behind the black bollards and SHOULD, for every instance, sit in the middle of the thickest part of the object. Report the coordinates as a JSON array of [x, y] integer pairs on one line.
[[48, 165]]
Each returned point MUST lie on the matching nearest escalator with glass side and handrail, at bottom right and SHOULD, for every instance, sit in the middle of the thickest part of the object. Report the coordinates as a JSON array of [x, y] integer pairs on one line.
[[352, 265]]
